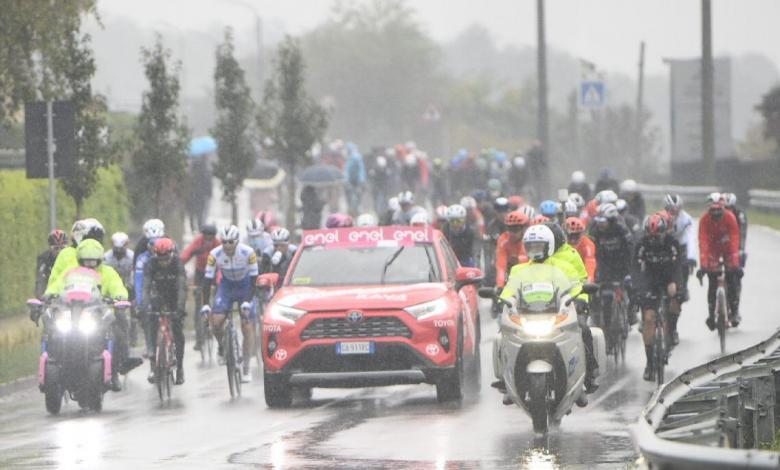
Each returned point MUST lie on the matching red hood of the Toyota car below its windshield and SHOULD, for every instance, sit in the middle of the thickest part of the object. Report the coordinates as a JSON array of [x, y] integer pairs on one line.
[[357, 297]]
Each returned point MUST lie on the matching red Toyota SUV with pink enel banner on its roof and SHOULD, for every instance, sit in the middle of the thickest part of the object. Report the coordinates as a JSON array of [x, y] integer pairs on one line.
[[368, 307]]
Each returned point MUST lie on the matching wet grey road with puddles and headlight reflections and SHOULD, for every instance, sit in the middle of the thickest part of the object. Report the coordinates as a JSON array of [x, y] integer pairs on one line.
[[393, 427]]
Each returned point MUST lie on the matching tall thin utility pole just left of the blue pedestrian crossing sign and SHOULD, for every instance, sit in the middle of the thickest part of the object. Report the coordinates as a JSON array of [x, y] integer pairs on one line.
[[542, 129]]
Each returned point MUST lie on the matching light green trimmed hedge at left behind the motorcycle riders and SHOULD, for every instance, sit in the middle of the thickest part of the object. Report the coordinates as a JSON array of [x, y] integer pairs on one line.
[[24, 225]]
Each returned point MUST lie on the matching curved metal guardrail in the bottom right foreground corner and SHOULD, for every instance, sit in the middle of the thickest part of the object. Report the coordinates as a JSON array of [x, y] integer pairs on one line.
[[716, 415]]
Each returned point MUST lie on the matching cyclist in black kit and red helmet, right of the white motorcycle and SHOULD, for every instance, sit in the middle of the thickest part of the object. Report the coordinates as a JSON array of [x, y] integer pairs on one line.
[[657, 256]]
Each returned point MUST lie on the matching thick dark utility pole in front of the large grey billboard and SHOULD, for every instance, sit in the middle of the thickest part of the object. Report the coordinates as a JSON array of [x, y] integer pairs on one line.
[[707, 112]]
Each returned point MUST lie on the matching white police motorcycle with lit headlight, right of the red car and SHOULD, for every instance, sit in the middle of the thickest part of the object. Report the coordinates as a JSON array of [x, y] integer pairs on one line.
[[539, 355]]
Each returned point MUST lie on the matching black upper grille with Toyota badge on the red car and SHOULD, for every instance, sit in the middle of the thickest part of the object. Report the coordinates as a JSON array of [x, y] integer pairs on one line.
[[369, 327]]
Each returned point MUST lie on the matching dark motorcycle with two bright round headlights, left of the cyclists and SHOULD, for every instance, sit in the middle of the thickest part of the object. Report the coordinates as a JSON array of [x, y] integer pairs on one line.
[[76, 345]]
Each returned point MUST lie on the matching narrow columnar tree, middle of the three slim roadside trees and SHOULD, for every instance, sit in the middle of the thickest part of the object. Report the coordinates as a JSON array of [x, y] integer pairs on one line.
[[234, 117]]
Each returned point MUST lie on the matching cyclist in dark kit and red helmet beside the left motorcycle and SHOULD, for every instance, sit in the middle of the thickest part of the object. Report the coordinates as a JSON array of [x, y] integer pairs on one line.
[[165, 289]]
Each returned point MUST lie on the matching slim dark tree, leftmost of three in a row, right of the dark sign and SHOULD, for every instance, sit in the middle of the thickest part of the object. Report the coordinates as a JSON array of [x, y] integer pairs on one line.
[[159, 157]]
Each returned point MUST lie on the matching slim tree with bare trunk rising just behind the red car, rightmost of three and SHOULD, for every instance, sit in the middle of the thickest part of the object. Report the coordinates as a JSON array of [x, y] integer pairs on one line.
[[289, 117]]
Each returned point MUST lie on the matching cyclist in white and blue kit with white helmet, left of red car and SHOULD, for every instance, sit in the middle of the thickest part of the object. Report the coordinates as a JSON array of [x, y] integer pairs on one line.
[[237, 264]]
